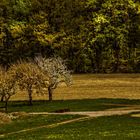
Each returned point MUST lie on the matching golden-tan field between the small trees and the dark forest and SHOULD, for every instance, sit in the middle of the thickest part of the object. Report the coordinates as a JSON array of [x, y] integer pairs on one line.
[[91, 86]]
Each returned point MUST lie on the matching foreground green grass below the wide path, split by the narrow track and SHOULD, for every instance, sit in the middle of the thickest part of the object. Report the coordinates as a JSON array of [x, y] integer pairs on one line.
[[103, 128]]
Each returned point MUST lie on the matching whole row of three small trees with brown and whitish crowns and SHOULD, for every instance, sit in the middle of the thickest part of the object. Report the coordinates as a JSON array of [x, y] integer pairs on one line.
[[33, 76]]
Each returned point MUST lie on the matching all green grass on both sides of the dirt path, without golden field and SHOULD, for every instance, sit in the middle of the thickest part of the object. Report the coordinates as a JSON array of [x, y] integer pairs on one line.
[[122, 127]]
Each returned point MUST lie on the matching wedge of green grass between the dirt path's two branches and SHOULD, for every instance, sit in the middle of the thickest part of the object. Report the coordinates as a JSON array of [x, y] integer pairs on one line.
[[31, 122]]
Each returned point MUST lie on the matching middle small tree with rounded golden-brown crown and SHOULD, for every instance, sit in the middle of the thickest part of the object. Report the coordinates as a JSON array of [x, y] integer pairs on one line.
[[29, 77]]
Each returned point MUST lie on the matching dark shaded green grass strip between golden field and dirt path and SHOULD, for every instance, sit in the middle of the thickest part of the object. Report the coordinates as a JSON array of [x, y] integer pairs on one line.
[[71, 105]]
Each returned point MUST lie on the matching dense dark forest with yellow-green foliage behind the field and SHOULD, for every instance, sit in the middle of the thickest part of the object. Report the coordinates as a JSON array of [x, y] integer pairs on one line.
[[93, 36]]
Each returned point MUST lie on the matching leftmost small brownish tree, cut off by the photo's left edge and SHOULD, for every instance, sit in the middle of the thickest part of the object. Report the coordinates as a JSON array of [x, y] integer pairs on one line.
[[7, 85]]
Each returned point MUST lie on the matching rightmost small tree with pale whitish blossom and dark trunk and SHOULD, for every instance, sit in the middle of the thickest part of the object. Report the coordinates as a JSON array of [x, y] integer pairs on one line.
[[56, 71]]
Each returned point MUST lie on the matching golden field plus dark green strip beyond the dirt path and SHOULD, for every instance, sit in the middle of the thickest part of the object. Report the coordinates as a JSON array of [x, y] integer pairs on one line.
[[89, 92]]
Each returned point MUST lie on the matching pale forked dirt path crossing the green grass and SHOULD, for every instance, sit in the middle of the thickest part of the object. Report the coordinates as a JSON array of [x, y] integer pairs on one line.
[[86, 115]]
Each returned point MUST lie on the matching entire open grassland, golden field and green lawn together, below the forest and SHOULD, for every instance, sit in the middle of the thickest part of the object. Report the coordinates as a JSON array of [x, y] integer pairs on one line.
[[92, 92]]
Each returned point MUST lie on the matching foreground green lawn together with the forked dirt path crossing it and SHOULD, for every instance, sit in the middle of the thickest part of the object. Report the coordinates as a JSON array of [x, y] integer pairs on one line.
[[100, 125]]
